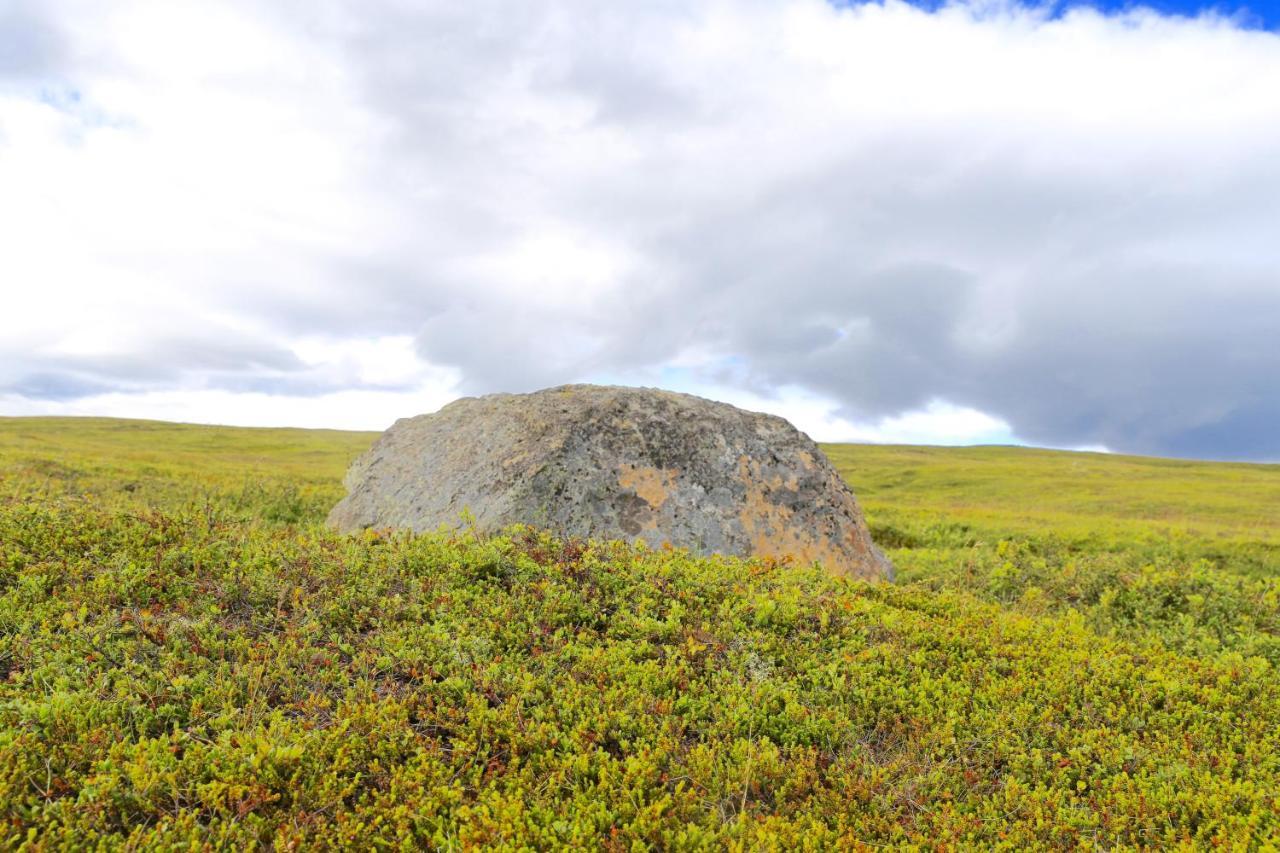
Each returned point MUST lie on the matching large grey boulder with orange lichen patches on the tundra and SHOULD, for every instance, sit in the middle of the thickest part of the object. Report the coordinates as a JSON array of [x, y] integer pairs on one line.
[[615, 463]]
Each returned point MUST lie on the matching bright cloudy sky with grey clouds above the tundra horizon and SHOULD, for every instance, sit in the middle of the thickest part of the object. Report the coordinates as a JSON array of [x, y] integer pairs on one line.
[[938, 223]]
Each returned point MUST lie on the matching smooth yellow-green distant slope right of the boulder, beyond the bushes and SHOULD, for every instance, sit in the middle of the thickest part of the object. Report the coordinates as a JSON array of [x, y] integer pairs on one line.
[[1025, 491]]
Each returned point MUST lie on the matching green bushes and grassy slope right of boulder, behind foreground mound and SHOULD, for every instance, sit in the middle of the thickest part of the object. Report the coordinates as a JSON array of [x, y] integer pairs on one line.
[[1185, 554]]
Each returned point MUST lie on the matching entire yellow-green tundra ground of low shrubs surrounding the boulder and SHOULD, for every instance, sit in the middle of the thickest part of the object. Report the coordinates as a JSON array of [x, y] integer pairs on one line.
[[1082, 650]]
